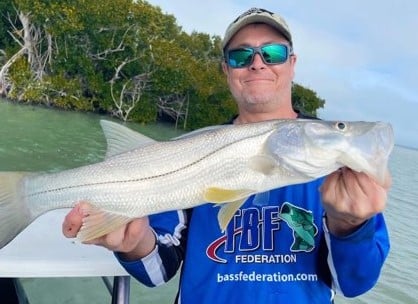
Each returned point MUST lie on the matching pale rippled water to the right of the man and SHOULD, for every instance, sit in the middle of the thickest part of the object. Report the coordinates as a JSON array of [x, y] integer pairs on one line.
[[399, 279]]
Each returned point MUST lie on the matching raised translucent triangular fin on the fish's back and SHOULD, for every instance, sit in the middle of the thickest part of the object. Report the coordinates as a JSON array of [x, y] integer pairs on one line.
[[121, 139]]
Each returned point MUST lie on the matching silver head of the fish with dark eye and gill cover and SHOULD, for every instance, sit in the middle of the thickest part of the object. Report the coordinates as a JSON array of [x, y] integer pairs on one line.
[[316, 148]]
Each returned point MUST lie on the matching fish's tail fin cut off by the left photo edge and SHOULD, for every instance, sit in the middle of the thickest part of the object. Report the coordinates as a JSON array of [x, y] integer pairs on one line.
[[14, 215]]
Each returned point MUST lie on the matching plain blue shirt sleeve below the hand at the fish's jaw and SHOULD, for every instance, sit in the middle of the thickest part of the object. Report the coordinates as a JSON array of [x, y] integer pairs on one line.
[[355, 261]]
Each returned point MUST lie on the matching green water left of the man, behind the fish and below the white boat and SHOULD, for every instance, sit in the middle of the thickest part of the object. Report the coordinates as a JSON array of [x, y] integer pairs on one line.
[[39, 139]]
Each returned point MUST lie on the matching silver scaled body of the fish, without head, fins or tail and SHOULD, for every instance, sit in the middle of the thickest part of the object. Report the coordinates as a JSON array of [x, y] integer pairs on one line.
[[159, 177]]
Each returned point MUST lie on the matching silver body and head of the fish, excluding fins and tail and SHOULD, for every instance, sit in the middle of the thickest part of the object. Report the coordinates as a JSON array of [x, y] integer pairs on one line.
[[175, 174]]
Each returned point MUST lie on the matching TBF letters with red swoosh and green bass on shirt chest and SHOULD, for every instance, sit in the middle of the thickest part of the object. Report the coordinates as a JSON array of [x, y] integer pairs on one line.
[[253, 228]]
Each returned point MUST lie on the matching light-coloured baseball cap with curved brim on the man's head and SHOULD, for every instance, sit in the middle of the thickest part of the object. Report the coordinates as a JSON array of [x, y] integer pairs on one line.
[[257, 15]]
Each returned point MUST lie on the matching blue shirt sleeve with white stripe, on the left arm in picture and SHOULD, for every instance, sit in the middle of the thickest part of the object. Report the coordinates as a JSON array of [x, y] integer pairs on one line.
[[163, 262]]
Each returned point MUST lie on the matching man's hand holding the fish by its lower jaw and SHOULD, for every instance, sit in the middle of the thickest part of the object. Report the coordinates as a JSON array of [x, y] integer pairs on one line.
[[350, 198]]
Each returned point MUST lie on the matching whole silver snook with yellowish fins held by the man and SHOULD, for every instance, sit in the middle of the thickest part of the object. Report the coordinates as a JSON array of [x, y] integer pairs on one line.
[[224, 164]]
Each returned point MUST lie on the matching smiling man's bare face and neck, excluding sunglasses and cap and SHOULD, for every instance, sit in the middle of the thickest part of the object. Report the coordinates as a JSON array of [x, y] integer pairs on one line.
[[259, 87]]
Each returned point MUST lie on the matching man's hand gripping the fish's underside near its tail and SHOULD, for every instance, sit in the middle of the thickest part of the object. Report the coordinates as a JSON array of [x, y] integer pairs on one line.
[[133, 241]]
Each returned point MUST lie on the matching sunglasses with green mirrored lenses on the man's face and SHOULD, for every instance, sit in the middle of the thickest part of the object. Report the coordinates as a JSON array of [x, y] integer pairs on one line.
[[274, 53]]
